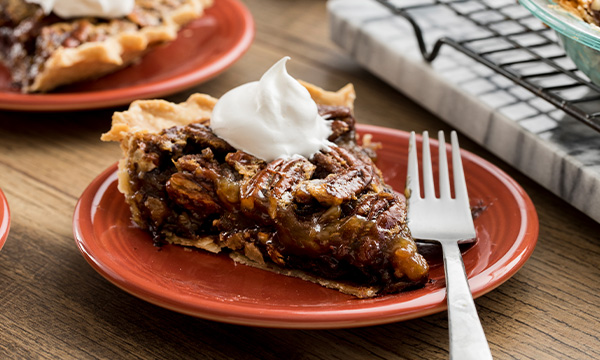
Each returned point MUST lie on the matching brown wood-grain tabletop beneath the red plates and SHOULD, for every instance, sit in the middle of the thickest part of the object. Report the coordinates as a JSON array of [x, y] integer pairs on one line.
[[54, 305]]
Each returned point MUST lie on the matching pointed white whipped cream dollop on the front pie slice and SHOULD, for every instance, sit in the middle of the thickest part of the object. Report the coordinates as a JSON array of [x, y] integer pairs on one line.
[[271, 118]]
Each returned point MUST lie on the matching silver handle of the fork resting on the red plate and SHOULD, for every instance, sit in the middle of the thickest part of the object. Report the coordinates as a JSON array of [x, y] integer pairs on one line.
[[467, 339]]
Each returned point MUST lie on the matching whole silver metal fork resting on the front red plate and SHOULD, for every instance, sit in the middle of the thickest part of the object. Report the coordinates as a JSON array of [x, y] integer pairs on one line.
[[449, 222]]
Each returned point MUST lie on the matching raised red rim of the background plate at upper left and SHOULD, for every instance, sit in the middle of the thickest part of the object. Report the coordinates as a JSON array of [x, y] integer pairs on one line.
[[122, 96]]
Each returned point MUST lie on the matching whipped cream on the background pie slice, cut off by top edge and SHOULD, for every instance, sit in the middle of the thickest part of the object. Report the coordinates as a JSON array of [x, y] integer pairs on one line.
[[82, 8]]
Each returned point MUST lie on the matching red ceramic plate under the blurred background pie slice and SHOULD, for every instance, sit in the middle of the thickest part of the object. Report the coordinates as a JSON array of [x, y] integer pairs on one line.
[[203, 49]]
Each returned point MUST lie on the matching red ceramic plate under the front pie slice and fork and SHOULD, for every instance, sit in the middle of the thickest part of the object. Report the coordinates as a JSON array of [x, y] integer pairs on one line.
[[213, 287]]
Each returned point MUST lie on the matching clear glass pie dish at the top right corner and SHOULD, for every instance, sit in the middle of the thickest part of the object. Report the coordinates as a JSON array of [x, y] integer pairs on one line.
[[580, 39]]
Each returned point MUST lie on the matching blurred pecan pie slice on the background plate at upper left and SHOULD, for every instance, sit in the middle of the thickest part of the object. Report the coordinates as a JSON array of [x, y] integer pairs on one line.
[[43, 51]]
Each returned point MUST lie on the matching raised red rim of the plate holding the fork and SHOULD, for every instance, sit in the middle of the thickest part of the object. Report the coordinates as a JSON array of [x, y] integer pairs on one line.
[[242, 315]]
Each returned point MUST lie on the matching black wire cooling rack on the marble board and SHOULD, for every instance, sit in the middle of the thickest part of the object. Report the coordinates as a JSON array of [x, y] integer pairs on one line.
[[515, 44]]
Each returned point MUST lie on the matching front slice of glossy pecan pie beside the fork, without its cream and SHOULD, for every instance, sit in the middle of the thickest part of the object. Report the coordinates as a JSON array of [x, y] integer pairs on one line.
[[329, 219]]
